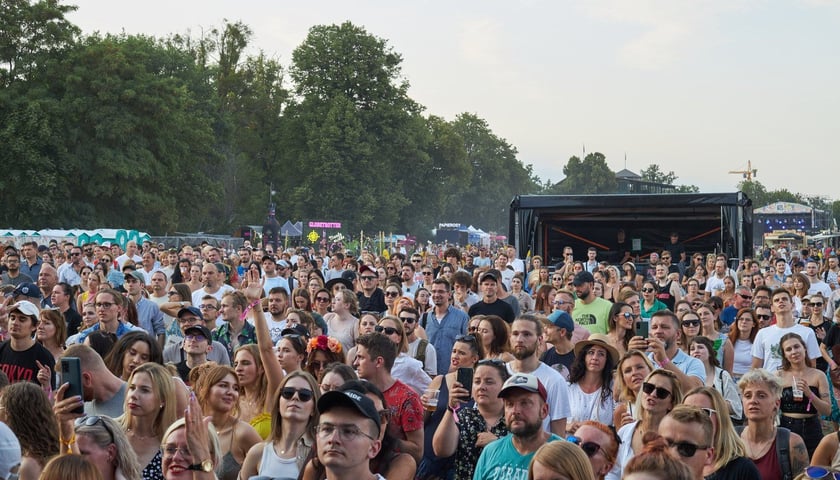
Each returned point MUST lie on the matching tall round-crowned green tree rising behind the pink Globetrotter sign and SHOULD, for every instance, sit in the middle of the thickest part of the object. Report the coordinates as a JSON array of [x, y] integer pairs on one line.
[[351, 131]]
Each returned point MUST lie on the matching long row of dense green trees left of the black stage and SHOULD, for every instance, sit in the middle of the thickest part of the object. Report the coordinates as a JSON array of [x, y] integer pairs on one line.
[[188, 133]]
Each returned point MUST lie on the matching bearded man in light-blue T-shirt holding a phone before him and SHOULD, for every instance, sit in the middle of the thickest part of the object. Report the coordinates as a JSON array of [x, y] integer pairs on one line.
[[662, 349]]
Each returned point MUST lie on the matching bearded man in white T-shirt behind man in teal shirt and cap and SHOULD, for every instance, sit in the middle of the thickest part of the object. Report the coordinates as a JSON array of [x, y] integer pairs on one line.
[[525, 333]]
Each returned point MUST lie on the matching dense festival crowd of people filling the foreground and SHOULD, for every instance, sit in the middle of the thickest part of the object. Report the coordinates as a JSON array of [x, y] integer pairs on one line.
[[451, 363]]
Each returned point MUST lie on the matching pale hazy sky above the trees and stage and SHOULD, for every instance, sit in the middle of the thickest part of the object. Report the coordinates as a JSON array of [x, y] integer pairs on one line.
[[699, 87]]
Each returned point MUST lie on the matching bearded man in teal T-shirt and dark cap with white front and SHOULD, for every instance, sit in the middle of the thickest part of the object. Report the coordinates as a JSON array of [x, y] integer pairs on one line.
[[525, 408]]
